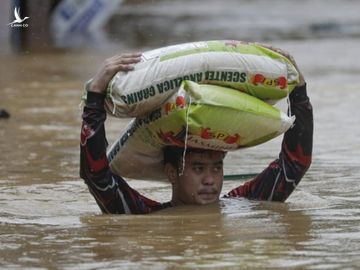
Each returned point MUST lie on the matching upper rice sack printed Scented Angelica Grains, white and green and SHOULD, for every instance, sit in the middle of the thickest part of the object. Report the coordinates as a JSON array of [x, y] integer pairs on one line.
[[247, 67]]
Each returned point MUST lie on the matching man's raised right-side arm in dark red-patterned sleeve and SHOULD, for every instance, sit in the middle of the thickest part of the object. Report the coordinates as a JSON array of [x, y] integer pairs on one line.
[[280, 178]]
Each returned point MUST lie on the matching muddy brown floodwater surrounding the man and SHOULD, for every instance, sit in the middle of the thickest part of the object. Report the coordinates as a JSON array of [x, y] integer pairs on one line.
[[48, 220]]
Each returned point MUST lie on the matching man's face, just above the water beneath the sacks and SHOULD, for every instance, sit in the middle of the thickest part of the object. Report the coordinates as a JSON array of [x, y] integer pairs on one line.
[[201, 180]]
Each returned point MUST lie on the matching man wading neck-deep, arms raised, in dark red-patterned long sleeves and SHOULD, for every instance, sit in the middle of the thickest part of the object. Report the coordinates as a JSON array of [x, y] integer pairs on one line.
[[198, 178]]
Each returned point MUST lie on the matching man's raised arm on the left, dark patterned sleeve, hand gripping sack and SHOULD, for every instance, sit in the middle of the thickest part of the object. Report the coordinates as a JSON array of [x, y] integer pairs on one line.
[[111, 192]]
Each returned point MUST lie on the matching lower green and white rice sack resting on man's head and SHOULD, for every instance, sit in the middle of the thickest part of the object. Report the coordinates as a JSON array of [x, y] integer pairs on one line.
[[201, 116]]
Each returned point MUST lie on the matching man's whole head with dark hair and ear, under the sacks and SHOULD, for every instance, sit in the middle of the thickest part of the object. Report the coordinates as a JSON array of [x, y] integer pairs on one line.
[[199, 179]]
